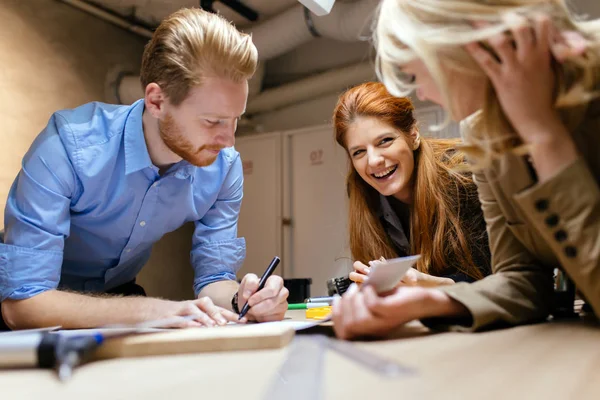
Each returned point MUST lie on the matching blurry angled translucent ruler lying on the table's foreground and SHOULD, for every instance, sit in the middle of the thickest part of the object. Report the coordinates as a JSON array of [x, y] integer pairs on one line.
[[300, 375]]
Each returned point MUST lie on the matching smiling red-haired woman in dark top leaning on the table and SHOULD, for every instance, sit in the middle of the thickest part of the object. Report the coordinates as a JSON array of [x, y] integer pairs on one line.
[[406, 196]]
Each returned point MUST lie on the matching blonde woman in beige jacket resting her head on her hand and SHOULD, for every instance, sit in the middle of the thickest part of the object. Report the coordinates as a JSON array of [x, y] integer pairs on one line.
[[524, 76]]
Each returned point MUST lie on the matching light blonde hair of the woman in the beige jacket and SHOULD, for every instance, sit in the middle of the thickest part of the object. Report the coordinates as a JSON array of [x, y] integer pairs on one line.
[[435, 32]]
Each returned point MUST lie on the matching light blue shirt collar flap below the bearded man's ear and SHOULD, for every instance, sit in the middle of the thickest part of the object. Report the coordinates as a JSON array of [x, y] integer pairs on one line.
[[136, 152]]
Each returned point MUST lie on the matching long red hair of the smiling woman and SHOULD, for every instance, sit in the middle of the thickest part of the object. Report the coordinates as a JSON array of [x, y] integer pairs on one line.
[[435, 229]]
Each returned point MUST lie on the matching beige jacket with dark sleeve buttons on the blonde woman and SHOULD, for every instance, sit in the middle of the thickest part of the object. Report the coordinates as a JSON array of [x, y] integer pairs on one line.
[[534, 228]]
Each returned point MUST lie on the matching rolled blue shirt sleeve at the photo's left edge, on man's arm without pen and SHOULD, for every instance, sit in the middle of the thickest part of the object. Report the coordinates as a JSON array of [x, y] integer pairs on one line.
[[37, 217]]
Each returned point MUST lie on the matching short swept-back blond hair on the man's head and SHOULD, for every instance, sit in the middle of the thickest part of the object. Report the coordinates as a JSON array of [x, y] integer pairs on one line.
[[192, 44]]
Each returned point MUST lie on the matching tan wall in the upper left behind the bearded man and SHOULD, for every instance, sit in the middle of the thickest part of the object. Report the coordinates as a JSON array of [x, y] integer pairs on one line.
[[52, 56]]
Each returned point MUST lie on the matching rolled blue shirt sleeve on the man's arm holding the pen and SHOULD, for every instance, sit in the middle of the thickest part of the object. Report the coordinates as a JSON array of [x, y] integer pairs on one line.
[[217, 253]]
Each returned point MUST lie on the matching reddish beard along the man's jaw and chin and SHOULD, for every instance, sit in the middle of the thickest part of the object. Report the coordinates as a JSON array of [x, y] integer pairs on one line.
[[171, 135]]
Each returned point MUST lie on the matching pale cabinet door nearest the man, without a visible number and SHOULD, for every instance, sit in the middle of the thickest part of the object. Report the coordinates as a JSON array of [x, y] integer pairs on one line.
[[260, 216]]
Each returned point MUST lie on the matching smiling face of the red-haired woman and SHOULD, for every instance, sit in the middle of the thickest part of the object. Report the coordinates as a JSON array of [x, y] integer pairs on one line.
[[382, 156]]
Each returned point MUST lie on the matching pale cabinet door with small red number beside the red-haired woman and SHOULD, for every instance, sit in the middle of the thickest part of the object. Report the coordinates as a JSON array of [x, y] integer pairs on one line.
[[315, 202]]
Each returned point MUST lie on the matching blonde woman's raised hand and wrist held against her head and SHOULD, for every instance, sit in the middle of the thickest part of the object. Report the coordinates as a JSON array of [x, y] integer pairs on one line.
[[523, 79]]
